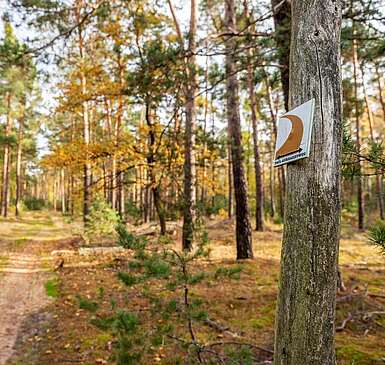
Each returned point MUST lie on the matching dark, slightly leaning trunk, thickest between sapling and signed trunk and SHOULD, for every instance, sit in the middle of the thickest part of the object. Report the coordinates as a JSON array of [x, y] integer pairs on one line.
[[243, 227]]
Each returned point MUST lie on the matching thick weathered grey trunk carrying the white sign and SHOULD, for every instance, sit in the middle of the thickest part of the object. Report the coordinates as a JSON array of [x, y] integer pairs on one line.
[[308, 282]]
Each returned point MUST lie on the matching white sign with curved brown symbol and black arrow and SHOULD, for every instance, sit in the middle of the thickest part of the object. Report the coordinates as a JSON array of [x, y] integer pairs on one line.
[[294, 134]]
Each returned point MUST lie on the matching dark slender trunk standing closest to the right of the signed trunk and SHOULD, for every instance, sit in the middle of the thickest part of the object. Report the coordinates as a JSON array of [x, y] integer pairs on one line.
[[360, 193]]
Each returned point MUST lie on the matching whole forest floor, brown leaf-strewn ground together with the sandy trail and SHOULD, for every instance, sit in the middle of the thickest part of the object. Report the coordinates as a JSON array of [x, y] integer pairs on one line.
[[43, 323]]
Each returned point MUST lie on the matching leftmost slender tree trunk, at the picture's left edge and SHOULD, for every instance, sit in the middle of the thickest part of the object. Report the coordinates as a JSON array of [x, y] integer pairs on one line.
[[6, 160]]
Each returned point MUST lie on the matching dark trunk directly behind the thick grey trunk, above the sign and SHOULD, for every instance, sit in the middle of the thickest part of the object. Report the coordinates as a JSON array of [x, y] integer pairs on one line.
[[282, 24]]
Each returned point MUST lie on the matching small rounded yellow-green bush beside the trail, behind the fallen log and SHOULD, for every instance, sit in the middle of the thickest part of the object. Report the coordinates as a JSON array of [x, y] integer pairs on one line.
[[102, 220]]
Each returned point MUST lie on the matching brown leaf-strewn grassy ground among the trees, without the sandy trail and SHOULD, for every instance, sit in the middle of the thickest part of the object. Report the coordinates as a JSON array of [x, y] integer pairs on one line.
[[246, 305]]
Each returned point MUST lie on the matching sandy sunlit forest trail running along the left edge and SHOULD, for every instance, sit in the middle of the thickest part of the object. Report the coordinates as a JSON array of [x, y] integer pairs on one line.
[[25, 263]]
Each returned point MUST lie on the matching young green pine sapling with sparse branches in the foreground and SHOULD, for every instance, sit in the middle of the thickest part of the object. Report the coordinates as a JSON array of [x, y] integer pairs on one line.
[[164, 278]]
